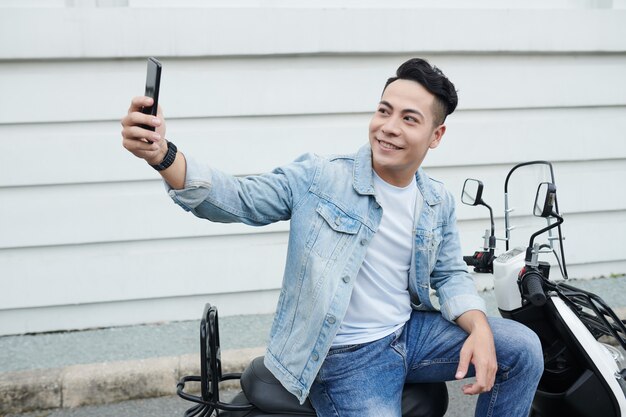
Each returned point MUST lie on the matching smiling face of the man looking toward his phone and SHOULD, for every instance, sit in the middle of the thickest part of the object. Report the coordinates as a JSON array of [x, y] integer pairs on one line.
[[402, 130]]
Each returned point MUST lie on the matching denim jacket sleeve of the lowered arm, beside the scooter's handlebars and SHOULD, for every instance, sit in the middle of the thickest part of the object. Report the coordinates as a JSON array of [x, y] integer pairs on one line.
[[453, 285]]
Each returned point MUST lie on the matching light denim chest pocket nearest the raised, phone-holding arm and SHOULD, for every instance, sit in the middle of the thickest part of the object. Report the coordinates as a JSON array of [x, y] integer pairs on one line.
[[331, 230]]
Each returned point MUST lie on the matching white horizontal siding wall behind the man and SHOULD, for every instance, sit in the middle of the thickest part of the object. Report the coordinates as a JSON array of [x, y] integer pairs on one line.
[[89, 238]]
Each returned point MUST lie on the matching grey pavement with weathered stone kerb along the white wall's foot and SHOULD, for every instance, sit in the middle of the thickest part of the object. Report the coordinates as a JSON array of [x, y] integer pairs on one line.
[[101, 366]]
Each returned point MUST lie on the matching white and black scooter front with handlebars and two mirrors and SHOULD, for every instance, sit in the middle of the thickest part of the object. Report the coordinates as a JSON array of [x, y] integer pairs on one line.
[[582, 377]]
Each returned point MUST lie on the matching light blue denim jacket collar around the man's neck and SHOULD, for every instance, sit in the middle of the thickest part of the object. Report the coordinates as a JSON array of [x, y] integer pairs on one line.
[[363, 182]]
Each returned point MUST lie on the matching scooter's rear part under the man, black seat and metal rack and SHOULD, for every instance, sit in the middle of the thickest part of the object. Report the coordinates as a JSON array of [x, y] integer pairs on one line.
[[261, 393]]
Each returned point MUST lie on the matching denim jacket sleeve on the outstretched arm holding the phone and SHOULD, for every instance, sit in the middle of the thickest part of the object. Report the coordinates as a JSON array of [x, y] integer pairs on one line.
[[255, 200]]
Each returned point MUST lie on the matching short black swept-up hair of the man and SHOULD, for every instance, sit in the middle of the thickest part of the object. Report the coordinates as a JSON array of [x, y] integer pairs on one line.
[[433, 80]]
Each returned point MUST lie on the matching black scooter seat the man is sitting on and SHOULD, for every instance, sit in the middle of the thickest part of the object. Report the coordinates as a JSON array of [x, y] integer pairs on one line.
[[264, 391]]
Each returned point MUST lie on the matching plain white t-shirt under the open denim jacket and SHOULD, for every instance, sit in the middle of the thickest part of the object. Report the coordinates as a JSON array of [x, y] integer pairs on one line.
[[380, 302]]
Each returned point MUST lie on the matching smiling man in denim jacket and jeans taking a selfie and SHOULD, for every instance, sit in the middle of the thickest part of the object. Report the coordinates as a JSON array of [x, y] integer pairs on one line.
[[369, 234]]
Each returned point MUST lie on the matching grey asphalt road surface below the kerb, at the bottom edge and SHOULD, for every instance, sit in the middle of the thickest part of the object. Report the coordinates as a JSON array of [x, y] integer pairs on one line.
[[460, 406]]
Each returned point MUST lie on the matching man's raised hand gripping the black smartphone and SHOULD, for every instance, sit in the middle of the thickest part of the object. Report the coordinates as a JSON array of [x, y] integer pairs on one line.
[[137, 139]]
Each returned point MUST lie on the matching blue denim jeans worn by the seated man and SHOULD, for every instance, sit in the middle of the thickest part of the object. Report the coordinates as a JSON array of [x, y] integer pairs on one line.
[[367, 379]]
